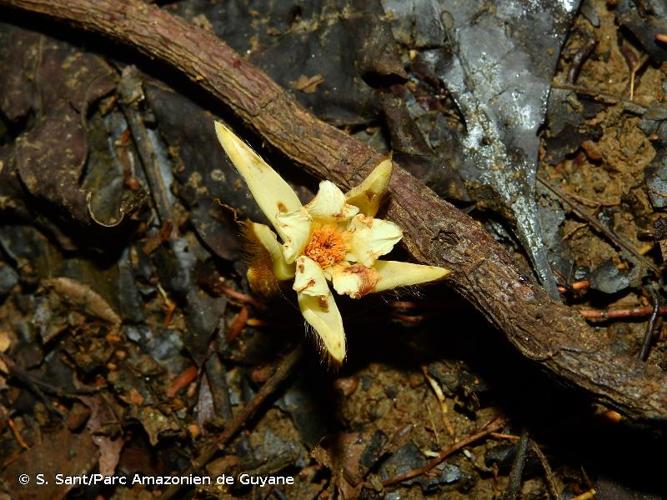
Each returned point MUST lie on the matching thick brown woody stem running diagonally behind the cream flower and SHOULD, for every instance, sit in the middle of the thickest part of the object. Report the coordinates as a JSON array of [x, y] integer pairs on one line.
[[551, 334]]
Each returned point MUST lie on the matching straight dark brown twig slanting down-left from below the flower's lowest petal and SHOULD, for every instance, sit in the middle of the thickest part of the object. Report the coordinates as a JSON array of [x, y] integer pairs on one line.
[[283, 371]]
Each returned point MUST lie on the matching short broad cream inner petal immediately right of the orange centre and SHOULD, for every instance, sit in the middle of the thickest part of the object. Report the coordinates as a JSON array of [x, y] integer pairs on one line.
[[371, 238]]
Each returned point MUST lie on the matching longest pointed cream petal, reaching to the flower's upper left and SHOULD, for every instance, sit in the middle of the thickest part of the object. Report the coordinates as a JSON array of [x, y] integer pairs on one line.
[[273, 195]]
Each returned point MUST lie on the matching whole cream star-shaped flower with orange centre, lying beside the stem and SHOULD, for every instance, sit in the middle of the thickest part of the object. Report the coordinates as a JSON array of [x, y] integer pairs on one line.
[[335, 237]]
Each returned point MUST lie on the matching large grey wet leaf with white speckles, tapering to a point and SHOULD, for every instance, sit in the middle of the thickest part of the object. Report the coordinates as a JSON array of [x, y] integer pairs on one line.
[[497, 65]]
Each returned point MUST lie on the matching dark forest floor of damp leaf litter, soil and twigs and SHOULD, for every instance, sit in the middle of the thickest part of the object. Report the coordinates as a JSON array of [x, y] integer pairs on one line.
[[131, 343]]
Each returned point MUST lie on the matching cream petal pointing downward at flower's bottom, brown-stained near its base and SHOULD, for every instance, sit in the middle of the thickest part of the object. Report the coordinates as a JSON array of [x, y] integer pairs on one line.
[[323, 315]]
